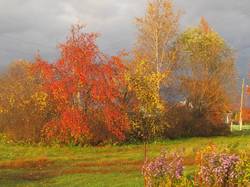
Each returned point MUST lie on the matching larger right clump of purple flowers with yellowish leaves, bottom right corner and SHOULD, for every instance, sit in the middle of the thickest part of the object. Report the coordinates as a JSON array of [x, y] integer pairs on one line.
[[220, 169]]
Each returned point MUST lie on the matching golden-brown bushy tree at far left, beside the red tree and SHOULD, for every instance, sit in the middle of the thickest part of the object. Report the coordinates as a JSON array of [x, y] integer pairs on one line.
[[24, 107]]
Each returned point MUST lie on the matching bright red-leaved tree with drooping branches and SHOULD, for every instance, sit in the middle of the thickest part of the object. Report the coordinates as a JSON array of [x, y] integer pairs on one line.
[[86, 86]]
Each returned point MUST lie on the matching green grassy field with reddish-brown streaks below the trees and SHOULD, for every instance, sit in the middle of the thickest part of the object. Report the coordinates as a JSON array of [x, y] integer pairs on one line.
[[27, 165]]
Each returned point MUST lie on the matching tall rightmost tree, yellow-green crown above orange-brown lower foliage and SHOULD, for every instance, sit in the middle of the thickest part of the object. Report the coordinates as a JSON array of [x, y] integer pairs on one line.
[[208, 77]]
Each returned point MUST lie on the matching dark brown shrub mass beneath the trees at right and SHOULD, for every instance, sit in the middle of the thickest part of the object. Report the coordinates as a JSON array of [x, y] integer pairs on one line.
[[182, 122]]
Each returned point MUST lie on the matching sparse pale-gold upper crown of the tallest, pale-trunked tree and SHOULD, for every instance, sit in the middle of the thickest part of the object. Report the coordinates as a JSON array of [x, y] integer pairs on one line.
[[157, 32]]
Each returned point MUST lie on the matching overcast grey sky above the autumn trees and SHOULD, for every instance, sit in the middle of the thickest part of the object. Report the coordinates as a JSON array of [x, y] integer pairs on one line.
[[27, 26]]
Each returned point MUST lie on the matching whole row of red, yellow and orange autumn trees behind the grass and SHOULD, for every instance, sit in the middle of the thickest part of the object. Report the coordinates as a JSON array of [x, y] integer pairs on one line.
[[172, 84]]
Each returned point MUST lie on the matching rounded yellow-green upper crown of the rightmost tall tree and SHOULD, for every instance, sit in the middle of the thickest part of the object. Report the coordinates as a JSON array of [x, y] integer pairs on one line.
[[203, 46]]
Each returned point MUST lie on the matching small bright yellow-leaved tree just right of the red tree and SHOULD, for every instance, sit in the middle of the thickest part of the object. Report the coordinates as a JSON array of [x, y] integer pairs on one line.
[[143, 84]]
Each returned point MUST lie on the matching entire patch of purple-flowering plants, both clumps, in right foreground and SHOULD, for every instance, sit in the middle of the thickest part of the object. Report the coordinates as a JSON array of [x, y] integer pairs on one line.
[[215, 169]]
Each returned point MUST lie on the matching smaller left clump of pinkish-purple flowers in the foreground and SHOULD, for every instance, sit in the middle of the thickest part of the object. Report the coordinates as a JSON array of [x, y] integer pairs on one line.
[[163, 170]]
